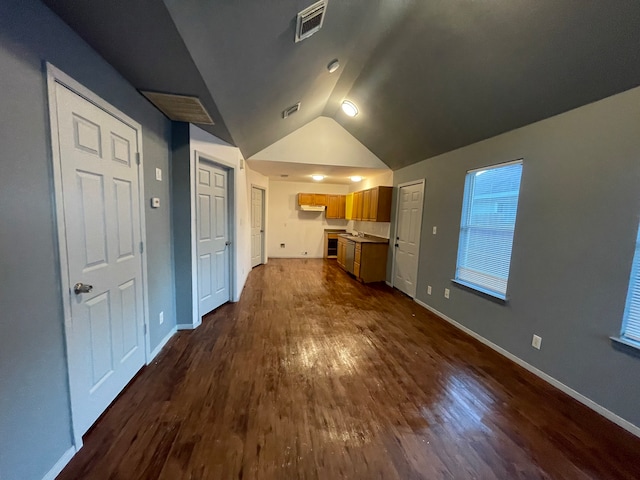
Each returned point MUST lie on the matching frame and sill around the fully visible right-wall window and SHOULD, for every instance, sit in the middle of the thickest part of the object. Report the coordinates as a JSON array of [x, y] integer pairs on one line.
[[467, 201]]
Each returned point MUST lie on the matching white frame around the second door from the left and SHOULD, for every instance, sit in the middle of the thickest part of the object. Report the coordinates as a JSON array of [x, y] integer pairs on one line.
[[197, 156]]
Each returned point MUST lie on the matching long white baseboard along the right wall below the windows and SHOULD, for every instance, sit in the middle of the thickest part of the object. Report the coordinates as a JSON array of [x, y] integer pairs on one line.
[[608, 414]]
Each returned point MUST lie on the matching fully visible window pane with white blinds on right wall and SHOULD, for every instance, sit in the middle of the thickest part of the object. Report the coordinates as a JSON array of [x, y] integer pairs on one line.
[[486, 229]]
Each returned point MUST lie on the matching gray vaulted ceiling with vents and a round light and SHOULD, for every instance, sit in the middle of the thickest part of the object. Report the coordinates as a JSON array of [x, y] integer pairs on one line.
[[428, 76]]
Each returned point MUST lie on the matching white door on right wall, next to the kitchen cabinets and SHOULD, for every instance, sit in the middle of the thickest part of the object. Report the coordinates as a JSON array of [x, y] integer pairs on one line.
[[410, 200]]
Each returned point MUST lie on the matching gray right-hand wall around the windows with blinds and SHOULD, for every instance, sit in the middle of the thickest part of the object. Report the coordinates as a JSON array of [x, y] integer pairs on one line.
[[573, 247]]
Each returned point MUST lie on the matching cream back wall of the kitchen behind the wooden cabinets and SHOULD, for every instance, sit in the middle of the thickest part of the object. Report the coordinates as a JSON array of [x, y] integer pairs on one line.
[[299, 231]]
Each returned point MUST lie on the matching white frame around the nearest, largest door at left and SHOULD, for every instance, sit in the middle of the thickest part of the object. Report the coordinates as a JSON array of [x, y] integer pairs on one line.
[[54, 75]]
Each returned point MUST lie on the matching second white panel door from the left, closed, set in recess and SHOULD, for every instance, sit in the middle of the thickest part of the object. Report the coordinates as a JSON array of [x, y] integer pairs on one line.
[[213, 237]]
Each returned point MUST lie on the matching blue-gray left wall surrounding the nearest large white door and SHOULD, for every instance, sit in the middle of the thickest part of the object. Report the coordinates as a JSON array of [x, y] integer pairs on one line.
[[35, 427]]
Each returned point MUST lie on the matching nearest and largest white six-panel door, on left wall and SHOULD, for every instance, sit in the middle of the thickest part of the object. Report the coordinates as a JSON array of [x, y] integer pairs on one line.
[[102, 230]]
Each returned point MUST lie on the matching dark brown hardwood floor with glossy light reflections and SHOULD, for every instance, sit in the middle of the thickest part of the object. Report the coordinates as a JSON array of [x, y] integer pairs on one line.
[[315, 376]]
